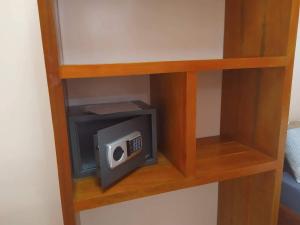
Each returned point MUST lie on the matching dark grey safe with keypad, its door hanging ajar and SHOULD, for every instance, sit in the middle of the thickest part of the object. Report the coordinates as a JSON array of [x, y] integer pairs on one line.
[[94, 134]]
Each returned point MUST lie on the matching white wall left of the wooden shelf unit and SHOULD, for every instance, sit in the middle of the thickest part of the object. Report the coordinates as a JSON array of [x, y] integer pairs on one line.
[[28, 176]]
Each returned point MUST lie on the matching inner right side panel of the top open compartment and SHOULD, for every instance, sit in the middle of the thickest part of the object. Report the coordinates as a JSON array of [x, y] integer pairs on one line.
[[256, 28]]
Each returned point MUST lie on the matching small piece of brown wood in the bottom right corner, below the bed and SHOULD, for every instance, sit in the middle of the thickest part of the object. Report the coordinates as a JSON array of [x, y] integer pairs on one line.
[[288, 216]]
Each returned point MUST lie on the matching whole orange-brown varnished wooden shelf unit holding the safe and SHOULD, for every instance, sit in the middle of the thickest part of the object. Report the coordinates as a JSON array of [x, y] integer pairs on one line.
[[259, 48]]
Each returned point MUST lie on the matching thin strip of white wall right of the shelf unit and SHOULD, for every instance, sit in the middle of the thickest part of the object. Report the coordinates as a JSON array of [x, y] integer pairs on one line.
[[295, 98]]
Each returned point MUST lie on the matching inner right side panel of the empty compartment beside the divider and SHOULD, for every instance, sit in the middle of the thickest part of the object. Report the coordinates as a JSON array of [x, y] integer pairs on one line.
[[251, 103]]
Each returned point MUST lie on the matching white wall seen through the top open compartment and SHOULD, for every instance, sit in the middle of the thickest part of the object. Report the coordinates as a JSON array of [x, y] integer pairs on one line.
[[107, 31]]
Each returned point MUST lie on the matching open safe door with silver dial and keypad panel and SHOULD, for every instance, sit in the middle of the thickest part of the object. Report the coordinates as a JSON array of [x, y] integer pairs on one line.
[[122, 148]]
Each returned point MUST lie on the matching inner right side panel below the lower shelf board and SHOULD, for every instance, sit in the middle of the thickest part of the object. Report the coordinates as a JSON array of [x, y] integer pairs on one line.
[[247, 200]]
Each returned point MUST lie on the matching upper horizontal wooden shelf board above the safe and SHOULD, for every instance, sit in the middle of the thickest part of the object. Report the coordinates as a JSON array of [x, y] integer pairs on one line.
[[129, 69]]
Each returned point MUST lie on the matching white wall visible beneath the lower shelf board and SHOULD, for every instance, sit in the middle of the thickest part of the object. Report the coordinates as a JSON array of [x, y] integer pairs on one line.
[[194, 206]]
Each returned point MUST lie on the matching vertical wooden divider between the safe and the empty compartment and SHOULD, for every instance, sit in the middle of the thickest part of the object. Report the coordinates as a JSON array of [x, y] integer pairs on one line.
[[174, 96]]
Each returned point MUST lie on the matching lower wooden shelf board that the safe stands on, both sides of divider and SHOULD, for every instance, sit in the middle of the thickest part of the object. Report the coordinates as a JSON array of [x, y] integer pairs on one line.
[[216, 161]]
